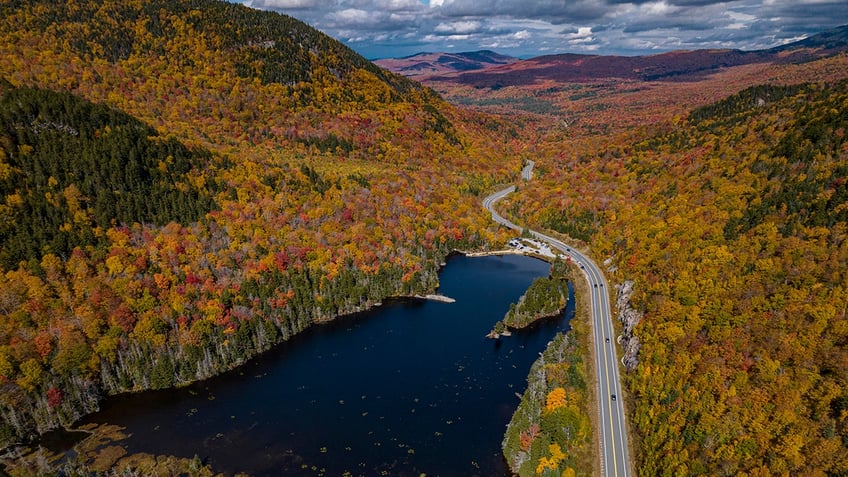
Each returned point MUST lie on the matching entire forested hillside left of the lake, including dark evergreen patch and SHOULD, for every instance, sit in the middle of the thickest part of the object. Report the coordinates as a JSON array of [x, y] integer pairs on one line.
[[186, 183]]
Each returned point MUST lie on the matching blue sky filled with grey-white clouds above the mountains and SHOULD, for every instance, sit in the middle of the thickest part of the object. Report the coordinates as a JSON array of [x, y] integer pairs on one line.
[[524, 28]]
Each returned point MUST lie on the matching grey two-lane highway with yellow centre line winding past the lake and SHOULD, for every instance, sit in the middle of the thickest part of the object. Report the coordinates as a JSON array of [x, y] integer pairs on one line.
[[615, 458]]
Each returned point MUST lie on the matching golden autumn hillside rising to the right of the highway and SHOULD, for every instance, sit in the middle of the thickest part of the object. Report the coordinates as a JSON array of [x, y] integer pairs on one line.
[[731, 222]]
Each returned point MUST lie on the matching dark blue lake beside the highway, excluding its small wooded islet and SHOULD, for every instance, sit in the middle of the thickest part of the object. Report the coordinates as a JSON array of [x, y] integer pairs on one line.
[[409, 388]]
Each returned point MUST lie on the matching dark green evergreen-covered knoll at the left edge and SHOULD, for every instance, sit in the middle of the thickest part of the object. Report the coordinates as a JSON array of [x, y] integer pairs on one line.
[[71, 169]]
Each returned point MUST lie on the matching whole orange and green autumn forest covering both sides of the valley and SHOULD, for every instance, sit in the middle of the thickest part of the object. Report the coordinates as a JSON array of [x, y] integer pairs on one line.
[[185, 184]]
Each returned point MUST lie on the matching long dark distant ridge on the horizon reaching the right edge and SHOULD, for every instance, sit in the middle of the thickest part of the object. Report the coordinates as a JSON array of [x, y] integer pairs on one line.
[[671, 66]]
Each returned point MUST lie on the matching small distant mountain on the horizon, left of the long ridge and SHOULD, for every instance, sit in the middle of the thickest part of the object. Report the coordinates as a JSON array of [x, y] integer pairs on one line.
[[426, 64]]
